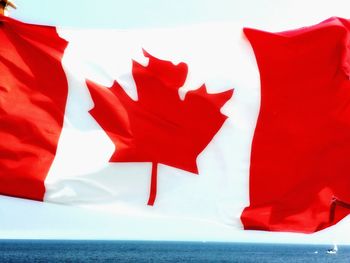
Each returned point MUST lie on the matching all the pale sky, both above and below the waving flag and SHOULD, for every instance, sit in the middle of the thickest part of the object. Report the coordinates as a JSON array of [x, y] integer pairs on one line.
[[26, 219]]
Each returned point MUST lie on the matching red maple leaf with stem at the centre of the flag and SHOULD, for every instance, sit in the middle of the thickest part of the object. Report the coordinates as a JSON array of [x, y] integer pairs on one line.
[[159, 127]]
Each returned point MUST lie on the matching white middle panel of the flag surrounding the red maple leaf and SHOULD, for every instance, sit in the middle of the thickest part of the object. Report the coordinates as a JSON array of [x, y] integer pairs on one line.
[[217, 55]]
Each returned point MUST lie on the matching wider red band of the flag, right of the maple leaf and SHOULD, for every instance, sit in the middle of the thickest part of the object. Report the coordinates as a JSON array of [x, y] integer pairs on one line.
[[301, 147]]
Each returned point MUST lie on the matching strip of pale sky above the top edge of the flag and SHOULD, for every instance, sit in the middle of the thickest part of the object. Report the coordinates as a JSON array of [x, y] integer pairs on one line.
[[161, 13]]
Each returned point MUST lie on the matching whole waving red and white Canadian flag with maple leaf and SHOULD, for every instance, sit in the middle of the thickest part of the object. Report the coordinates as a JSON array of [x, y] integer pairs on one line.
[[213, 122]]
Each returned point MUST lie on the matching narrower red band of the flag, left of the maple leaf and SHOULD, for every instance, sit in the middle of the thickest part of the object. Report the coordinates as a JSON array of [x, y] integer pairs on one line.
[[33, 92]]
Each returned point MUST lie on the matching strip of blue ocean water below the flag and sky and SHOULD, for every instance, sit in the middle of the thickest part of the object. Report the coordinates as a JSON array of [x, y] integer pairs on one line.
[[134, 251]]
